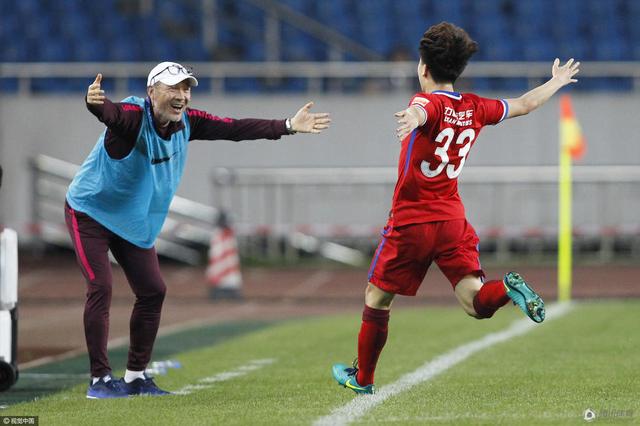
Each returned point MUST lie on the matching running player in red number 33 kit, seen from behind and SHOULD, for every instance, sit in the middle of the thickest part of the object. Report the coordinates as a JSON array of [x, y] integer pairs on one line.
[[427, 221]]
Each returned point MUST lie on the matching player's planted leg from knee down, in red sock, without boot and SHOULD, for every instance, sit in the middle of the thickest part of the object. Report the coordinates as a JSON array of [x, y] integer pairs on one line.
[[373, 332]]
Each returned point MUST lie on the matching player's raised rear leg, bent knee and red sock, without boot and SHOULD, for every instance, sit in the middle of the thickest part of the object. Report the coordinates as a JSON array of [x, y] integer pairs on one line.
[[481, 300]]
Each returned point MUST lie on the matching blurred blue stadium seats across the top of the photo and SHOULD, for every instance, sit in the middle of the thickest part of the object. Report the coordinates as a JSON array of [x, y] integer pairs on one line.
[[122, 30]]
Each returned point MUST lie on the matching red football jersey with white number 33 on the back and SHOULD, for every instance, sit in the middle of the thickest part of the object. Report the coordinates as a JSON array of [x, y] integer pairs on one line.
[[433, 155]]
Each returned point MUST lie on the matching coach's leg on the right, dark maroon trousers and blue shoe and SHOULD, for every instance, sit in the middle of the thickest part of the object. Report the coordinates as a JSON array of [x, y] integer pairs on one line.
[[142, 269]]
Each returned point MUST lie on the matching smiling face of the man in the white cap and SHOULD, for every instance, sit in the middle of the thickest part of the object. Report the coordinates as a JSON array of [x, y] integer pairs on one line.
[[169, 102]]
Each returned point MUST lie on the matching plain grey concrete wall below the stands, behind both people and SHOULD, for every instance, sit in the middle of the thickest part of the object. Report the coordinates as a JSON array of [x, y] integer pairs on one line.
[[362, 134]]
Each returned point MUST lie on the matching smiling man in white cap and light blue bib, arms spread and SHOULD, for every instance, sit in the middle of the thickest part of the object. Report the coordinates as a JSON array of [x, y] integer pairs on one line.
[[120, 197]]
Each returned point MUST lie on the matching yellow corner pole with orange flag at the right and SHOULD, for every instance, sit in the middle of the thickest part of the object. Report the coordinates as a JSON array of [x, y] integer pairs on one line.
[[572, 146]]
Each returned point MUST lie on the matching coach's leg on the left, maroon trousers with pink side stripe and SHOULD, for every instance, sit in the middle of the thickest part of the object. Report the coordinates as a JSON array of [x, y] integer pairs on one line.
[[90, 243]]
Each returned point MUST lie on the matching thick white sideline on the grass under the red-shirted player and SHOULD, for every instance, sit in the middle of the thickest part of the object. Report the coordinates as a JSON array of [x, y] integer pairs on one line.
[[360, 405]]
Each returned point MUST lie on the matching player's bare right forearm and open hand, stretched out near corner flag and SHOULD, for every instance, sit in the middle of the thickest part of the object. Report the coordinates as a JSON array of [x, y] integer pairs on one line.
[[561, 76]]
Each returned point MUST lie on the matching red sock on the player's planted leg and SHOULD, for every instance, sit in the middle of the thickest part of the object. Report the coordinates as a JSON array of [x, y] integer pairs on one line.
[[371, 340]]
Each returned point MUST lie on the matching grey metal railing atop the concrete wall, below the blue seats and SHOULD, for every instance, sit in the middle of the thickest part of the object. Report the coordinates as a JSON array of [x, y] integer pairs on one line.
[[313, 77]]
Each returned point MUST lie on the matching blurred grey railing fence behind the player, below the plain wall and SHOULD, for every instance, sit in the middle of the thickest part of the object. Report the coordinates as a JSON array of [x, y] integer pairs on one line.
[[508, 206]]
